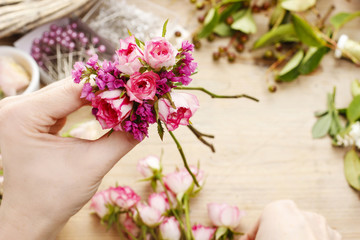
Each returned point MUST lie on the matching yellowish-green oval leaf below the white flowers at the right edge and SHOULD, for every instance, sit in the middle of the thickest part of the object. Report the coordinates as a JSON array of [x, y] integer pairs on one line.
[[352, 169]]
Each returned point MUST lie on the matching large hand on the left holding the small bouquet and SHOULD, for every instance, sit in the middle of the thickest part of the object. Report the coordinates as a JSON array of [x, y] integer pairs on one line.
[[49, 178]]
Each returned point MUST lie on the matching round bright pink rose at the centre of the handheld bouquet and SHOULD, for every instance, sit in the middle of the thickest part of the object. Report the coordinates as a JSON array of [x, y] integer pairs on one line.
[[142, 86]]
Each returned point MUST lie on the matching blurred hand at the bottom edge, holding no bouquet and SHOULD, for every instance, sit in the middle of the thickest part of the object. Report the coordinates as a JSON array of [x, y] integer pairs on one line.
[[283, 220]]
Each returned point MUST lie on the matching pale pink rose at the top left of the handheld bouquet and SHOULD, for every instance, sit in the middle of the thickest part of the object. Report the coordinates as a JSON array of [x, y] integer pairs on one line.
[[128, 56]]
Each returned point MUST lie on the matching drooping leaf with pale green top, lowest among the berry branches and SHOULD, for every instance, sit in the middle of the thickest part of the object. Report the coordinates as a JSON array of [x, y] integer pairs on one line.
[[290, 70]]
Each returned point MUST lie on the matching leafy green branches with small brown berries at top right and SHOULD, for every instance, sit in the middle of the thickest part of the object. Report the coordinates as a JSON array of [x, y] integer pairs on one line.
[[294, 45]]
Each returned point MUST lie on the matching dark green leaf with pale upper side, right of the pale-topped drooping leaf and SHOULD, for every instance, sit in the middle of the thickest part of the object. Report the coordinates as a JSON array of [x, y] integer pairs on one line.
[[312, 59]]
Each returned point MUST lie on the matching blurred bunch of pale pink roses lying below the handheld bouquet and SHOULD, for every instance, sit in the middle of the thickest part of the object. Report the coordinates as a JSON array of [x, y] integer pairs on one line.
[[165, 214]]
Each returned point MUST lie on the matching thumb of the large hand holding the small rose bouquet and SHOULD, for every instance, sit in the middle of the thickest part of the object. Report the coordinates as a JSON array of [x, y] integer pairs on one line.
[[105, 152]]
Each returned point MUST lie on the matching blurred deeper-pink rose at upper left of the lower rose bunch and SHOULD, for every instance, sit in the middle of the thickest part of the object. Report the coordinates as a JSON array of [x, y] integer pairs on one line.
[[124, 197]]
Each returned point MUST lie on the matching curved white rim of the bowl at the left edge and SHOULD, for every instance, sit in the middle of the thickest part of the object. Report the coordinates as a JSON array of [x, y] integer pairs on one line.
[[27, 62]]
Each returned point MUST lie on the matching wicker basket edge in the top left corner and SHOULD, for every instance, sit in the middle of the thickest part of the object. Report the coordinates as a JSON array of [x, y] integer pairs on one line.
[[19, 16]]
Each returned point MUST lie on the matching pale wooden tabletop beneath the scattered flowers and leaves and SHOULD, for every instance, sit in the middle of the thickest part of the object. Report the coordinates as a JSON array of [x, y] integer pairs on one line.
[[264, 151]]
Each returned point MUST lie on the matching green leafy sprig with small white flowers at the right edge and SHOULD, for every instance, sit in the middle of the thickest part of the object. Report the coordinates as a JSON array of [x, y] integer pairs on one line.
[[347, 136]]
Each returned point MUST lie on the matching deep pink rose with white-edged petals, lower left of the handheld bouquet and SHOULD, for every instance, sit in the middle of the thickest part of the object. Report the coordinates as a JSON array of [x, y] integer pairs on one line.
[[110, 110]]
